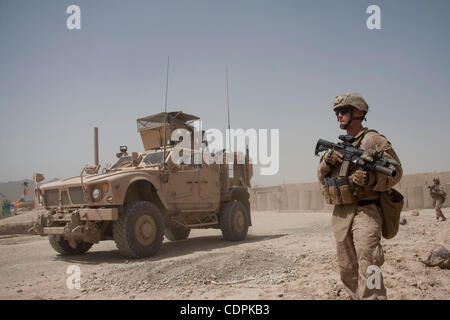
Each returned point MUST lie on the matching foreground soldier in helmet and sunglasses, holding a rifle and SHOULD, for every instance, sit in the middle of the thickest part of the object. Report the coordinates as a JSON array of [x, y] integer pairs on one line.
[[357, 226]]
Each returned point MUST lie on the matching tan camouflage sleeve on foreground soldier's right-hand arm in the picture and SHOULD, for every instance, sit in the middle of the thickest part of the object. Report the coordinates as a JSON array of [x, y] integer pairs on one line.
[[383, 181]]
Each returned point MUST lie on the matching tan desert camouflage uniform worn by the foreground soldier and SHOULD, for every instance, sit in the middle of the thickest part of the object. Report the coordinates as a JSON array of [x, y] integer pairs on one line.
[[357, 228]]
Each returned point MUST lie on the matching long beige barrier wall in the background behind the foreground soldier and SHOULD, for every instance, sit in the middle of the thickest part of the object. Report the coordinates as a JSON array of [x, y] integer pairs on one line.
[[307, 196]]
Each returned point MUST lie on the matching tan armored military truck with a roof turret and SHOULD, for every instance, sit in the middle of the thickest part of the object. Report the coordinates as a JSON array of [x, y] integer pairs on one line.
[[145, 196]]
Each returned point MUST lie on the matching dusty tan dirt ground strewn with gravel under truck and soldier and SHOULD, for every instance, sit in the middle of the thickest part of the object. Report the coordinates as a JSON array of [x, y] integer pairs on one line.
[[285, 256]]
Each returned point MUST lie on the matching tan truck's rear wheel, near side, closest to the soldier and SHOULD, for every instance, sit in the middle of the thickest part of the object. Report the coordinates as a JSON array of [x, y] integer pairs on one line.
[[233, 221]]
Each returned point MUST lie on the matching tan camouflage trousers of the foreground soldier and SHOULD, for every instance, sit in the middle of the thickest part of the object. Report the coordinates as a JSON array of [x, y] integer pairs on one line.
[[360, 255]]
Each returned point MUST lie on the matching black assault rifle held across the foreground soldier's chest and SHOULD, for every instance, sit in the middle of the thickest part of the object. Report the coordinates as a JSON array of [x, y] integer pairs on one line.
[[372, 161]]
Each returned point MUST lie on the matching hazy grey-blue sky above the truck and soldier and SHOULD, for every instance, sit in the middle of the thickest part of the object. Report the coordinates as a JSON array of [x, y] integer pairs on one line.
[[287, 60]]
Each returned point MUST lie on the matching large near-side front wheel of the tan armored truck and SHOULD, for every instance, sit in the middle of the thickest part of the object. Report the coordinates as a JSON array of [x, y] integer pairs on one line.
[[139, 230]]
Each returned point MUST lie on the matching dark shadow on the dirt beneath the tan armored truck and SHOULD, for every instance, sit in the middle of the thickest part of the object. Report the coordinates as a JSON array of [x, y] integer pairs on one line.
[[169, 249]]
